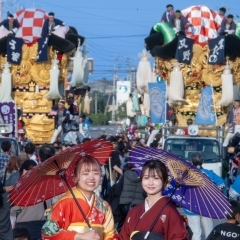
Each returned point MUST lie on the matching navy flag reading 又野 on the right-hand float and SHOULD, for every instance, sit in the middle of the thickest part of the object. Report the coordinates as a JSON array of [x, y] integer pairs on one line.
[[184, 51]]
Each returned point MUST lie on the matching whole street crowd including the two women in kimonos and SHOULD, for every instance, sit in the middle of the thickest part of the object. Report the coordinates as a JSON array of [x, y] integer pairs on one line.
[[130, 203]]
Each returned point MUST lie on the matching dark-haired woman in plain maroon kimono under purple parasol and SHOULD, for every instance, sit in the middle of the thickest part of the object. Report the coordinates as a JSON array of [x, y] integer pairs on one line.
[[154, 177]]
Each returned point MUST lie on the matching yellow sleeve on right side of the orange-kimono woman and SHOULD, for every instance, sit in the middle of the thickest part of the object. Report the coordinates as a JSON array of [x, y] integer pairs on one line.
[[109, 230]]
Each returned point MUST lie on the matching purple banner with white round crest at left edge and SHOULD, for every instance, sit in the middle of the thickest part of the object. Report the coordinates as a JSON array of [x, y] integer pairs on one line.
[[8, 114]]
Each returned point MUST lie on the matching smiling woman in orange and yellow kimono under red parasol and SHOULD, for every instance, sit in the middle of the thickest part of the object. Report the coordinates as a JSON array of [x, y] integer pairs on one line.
[[65, 221]]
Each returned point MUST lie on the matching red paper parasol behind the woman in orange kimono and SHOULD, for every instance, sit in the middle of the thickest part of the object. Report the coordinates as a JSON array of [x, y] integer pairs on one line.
[[45, 180]]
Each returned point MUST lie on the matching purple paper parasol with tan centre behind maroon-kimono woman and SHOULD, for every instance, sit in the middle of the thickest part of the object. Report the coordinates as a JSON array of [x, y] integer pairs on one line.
[[196, 193]]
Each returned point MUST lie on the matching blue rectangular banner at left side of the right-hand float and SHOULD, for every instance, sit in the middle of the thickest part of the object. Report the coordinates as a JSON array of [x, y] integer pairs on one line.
[[158, 98]]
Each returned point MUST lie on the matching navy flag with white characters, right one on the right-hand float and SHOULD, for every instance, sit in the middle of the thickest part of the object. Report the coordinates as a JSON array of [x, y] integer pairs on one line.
[[217, 50]]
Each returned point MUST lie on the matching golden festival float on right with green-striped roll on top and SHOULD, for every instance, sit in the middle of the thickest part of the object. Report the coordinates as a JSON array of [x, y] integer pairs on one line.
[[197, 66]]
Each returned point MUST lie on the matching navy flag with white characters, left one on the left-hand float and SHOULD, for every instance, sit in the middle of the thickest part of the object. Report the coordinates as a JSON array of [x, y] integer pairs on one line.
[[14, 50]]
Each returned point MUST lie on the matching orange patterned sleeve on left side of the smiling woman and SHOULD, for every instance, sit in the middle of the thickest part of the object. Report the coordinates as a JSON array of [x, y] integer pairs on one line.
[[55, 227]]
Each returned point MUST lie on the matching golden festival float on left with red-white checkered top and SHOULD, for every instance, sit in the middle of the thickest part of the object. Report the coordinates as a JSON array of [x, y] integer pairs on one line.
[[35, 70]]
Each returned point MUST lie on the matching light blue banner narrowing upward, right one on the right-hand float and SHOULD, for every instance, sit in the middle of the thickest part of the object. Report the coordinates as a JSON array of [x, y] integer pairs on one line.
[[205, 115]]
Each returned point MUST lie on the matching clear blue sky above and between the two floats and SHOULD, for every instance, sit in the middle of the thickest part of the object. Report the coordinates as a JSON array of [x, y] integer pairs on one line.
[[115, 29]]
